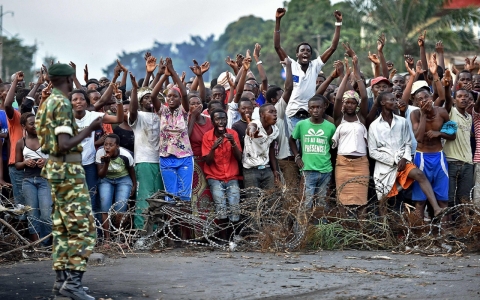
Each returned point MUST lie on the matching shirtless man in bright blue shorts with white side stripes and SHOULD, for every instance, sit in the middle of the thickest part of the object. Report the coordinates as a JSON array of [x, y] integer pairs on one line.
[[427, 123]]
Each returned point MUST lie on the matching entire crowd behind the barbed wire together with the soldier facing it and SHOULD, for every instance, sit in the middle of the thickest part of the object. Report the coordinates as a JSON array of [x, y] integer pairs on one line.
[[414, 134]]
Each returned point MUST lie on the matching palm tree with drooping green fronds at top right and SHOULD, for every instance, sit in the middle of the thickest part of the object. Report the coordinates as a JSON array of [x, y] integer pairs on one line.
[[403, 20]]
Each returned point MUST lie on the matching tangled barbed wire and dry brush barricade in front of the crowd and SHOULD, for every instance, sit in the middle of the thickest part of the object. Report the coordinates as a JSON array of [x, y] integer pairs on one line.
[[270, 220]]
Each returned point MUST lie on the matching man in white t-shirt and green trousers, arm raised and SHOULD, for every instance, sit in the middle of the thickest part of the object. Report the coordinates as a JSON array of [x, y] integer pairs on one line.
[[146, 128]]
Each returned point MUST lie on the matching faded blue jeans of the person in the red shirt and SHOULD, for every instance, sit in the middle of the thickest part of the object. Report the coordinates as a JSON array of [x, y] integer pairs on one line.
[[222, 192]]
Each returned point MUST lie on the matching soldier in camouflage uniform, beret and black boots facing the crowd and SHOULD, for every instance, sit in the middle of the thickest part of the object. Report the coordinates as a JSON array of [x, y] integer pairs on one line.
[[73, 224]]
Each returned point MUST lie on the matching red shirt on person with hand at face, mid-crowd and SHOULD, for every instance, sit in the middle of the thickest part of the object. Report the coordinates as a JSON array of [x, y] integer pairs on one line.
[[224, 166]]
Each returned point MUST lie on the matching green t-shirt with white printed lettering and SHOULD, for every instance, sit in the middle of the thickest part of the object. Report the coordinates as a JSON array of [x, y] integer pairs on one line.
[[316, 140]]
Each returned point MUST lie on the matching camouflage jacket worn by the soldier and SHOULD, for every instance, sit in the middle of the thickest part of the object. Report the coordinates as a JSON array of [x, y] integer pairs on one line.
[[55, 116]]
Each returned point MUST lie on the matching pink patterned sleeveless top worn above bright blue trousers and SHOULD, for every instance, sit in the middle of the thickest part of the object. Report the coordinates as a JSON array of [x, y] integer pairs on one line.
[[174, 133]]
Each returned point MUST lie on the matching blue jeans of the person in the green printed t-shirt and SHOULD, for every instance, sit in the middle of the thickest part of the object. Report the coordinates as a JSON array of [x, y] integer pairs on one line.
[[316, 184]]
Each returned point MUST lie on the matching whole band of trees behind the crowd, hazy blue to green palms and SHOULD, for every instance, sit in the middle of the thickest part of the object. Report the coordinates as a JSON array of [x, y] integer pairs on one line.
[[401, 20]]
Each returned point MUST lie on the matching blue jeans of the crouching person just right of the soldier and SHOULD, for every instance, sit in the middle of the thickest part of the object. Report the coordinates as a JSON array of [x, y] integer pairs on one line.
[[120, 187]]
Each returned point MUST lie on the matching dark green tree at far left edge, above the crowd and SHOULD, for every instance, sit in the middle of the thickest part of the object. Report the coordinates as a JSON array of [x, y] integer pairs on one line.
[[17, 57]]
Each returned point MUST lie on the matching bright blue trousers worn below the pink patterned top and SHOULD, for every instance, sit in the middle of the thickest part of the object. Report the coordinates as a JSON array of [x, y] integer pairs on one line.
[[177, 176]]
